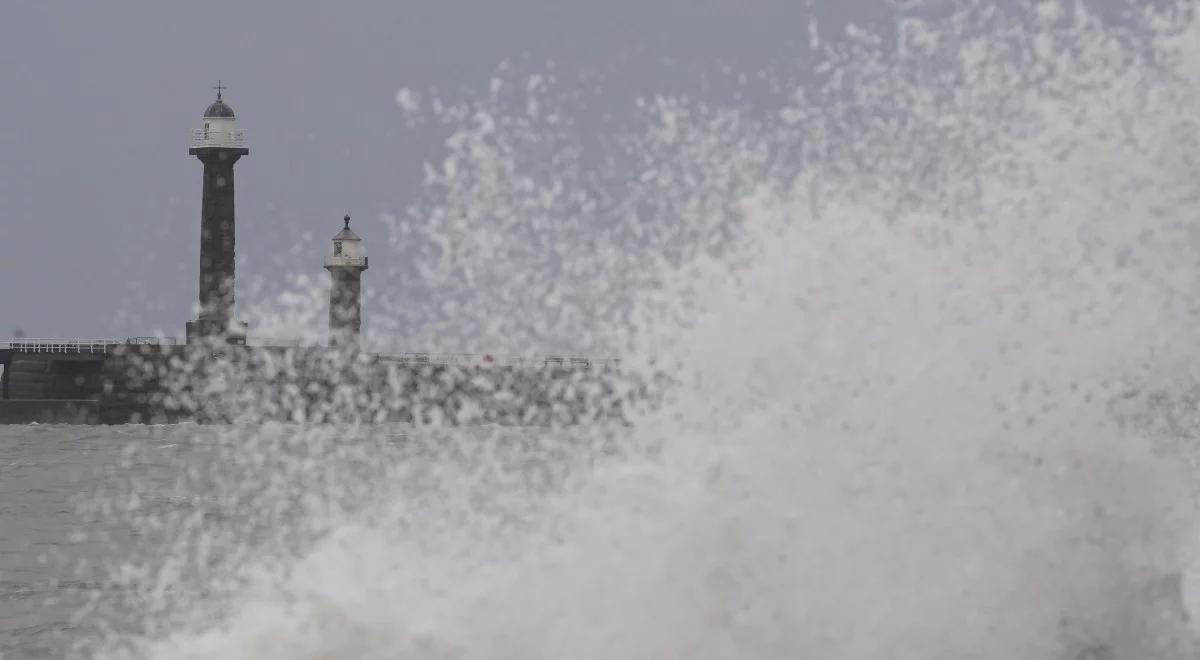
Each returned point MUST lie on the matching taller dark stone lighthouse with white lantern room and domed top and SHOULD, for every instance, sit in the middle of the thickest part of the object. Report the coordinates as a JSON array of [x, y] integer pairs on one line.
[[218, 145]]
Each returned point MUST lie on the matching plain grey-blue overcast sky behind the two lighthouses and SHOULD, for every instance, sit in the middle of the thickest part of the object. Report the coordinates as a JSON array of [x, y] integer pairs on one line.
[[100, 202]]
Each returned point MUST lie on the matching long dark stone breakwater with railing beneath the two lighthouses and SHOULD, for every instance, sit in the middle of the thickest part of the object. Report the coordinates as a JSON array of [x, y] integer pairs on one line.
[[226, 383]]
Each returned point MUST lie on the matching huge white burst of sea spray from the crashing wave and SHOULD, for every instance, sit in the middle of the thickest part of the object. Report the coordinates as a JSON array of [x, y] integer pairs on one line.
[[895, 327]]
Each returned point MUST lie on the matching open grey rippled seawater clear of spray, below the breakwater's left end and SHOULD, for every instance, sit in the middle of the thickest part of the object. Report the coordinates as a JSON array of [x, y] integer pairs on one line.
[[55, 554]]
